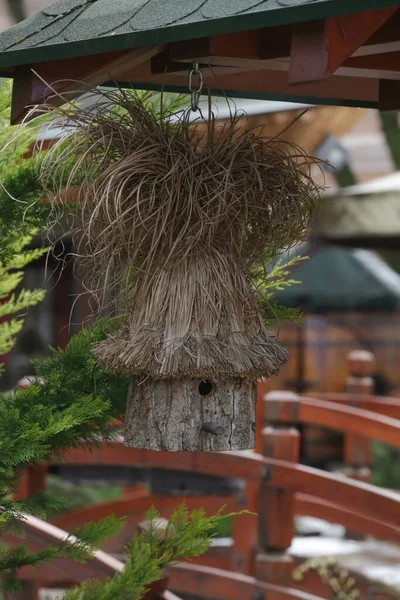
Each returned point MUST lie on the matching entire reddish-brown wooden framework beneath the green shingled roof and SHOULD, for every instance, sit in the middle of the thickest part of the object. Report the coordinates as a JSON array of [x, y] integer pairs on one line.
[[337, 60]]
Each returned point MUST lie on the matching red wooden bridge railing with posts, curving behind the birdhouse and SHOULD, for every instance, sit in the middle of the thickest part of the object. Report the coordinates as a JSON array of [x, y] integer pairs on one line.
[[276, 487]]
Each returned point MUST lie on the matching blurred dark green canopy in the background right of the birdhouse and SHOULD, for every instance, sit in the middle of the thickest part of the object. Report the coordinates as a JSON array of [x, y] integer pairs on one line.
[[338, 280]]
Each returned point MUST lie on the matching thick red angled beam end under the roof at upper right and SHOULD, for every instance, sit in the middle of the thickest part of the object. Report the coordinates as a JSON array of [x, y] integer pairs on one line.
[[320, 47]]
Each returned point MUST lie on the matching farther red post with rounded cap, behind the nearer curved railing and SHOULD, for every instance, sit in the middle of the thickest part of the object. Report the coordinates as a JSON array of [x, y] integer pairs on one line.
[[358, 449]]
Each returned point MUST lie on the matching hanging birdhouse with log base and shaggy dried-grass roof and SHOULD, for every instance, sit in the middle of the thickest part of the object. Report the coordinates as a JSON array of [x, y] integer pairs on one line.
[[172, 224]]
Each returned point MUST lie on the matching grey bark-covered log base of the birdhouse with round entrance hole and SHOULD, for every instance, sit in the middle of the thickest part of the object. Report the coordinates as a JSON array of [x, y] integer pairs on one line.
[[191, 415]]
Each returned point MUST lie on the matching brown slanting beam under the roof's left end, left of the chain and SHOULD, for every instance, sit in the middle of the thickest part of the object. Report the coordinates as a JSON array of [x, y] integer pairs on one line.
[[38, 84]]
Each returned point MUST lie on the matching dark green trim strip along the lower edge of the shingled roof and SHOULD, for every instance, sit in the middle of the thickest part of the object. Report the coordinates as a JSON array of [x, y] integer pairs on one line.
[[172, 33]]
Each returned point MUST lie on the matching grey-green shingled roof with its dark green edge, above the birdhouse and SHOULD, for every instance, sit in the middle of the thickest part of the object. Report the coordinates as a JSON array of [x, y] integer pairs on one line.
[[71, 28]]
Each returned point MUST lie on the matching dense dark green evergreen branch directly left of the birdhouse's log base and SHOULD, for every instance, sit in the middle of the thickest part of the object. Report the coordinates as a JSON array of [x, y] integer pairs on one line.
[[73, 403]]
